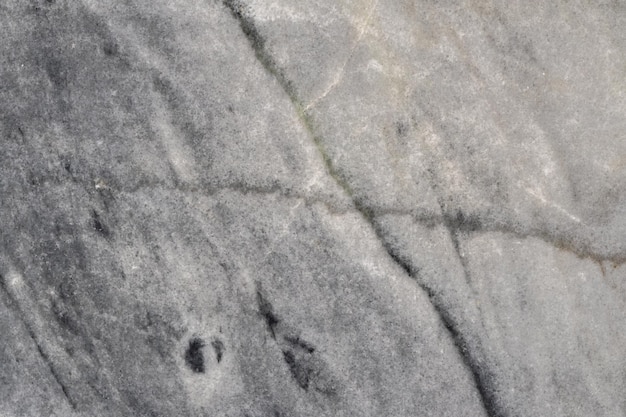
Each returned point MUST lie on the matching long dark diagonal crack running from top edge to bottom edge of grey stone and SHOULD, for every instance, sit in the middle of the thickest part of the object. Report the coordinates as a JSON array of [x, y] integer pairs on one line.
[[479, 374]]
